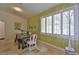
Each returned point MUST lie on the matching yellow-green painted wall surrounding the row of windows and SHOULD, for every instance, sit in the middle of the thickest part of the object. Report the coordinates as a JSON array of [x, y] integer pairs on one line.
[[33, 25]]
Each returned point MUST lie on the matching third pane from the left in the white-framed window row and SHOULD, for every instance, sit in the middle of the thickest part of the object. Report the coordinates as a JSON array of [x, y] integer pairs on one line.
[[57, 24]]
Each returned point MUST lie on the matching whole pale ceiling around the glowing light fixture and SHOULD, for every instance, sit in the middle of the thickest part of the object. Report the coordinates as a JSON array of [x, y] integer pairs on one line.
[[29, 9]]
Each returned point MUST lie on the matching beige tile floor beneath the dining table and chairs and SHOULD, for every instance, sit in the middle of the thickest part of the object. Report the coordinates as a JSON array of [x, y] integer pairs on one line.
[[42, 49]]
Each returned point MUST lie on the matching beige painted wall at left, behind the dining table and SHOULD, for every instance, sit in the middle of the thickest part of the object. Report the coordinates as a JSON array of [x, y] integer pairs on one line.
[[9, 20]]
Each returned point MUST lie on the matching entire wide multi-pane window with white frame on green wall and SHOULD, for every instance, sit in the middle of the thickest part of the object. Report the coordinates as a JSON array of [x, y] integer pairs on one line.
[[60, 23]]
